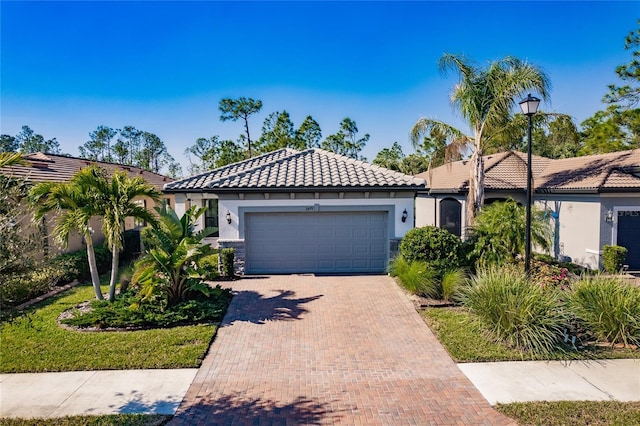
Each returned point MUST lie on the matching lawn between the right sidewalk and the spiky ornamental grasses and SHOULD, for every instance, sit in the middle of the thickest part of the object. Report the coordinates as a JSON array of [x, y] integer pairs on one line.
[[466, 340]]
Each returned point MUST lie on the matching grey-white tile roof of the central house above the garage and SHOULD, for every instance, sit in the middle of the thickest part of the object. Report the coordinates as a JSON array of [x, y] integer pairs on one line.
[[287, 169]]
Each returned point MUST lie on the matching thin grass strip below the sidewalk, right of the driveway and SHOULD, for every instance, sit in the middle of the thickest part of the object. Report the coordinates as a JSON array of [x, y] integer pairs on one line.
[[592, 413]]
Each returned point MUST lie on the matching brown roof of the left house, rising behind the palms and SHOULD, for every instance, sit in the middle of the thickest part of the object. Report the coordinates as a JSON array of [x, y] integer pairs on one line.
[[59, 168]]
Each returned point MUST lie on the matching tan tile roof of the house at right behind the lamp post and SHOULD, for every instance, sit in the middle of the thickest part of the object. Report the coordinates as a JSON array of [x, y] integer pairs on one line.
[[508, 170]]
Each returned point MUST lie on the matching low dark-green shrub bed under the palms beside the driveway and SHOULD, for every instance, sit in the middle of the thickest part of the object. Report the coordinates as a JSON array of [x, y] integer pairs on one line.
[[128, 311]]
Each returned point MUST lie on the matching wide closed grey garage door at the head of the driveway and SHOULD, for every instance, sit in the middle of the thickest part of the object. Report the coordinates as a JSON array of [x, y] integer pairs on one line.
[[319, 242]]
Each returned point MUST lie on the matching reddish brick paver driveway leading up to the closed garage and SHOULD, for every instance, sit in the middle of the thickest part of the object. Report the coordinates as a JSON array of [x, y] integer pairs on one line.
[[329, 350]]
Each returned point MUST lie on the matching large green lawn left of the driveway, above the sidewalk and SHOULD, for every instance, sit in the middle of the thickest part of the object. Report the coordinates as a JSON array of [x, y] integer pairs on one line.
[[33, 342]]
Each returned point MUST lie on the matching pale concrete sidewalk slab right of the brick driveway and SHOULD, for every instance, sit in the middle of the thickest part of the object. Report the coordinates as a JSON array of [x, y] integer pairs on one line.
[[520, 381]]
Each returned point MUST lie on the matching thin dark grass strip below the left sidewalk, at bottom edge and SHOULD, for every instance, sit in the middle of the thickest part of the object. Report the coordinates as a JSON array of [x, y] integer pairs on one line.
[[104, 420]]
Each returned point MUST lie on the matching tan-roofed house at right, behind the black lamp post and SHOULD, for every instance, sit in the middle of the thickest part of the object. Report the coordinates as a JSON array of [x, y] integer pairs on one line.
[[592, 201]]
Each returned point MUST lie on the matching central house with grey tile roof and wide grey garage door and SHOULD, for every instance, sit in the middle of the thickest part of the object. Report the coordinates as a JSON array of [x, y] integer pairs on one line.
[[308, 211]]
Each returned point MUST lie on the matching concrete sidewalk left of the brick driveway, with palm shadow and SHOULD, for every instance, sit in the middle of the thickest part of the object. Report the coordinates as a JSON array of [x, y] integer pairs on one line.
[[73, 393]]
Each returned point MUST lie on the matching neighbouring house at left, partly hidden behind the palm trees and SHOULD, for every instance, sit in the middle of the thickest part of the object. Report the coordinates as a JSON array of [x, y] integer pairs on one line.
[[59, 168]]
